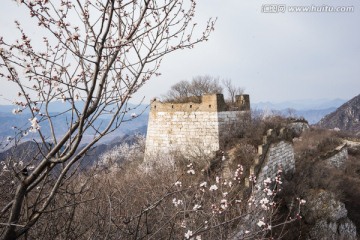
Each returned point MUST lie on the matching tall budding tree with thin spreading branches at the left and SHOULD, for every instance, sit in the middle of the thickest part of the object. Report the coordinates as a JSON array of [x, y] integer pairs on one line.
[[94, 56]]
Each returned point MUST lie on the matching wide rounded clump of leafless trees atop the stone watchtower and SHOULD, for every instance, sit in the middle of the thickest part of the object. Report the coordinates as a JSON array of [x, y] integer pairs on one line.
[[200, 85]]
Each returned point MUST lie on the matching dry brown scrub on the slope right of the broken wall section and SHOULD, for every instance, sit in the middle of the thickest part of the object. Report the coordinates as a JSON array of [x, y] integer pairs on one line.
[[313, 176]]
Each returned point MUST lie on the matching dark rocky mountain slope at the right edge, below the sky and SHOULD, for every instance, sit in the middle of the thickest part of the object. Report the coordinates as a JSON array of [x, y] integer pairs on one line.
[[346, 117]]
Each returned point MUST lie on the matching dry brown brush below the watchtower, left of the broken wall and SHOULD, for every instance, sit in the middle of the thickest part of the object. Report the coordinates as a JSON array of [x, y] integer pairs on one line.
[[129, 202]]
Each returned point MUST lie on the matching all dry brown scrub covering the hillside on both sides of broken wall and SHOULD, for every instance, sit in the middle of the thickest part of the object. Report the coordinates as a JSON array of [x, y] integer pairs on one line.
[[129, 202]]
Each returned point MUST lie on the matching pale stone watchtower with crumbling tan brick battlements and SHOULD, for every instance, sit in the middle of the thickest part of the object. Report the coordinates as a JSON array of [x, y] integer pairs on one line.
[[192, 128]]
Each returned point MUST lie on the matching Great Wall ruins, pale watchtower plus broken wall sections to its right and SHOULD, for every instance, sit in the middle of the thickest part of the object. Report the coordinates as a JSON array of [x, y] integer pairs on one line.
[[199, 128]]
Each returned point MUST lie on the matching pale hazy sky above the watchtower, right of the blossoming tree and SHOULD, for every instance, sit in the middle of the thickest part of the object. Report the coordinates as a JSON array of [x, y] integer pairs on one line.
[[274, 56]]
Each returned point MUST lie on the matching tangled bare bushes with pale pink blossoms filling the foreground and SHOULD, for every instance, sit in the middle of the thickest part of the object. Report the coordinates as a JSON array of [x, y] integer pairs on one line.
[[181, 203]]
